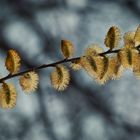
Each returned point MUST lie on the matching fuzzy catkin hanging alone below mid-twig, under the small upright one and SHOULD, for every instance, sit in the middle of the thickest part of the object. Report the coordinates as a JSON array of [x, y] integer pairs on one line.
[[60, 78]]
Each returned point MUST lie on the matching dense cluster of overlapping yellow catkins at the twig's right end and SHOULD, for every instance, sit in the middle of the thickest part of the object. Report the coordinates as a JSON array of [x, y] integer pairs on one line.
[[104, 66]]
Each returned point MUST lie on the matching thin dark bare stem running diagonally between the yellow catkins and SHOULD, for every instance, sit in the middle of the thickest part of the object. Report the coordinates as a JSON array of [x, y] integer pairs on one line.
[[9, 76]]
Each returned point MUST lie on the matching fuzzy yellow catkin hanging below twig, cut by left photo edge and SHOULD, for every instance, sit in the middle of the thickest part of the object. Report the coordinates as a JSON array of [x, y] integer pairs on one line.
[[8, 96]]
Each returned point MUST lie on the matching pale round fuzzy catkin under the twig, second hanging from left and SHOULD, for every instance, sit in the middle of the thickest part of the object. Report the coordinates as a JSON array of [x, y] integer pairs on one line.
[[29, 81]]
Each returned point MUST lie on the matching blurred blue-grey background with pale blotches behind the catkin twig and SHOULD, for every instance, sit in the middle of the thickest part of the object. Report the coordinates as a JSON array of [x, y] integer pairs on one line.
[[86, 110]]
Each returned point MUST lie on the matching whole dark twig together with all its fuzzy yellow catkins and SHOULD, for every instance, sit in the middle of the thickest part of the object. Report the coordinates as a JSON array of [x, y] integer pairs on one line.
[[99, 64]]
